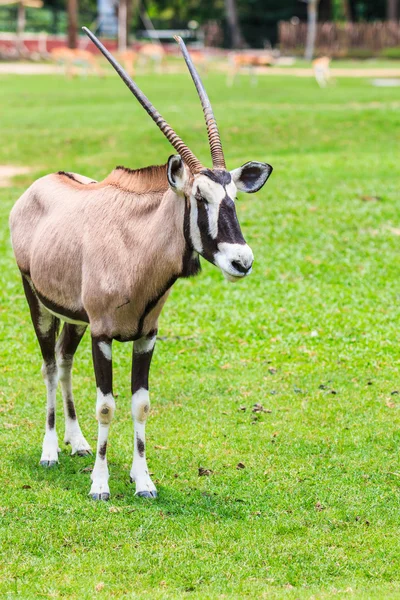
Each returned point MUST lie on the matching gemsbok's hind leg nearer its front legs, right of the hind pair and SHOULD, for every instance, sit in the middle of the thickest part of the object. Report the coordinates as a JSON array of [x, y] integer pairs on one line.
[[66, 347]]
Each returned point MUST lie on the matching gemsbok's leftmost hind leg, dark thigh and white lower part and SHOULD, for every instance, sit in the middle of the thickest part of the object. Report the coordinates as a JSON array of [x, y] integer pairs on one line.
[[46, 327]]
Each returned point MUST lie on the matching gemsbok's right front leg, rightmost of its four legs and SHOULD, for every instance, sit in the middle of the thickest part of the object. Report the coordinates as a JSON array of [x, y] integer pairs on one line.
[[142, 353]]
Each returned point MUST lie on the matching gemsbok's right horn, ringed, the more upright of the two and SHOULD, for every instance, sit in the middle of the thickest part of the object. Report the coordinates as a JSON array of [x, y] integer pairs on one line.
[[214, 139]]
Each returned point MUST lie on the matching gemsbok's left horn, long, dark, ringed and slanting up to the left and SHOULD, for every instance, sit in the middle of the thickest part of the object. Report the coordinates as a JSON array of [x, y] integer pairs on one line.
[[187, 155]]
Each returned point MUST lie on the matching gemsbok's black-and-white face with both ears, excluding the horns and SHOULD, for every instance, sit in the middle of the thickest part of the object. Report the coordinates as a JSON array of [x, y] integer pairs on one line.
[[214, 228]]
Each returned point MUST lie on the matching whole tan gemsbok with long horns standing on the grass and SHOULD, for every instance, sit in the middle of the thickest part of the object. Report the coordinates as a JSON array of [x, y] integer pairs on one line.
[[106, 254]]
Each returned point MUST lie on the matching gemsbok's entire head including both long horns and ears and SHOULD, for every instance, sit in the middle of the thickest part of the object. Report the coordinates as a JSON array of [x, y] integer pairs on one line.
[[213, 227]]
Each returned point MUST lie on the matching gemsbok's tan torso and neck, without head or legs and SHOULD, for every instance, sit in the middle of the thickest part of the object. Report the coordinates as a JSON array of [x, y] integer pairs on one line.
[[95, 248]]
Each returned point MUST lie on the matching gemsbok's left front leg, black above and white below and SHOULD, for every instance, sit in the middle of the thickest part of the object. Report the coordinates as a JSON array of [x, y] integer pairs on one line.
[[105, 408]]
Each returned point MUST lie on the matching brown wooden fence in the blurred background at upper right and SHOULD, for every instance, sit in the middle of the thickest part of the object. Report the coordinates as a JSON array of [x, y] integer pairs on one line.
[[341, 39]]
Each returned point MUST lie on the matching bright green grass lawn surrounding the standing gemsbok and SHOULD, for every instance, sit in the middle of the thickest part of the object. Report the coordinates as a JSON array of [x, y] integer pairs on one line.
[[315, 512]]
